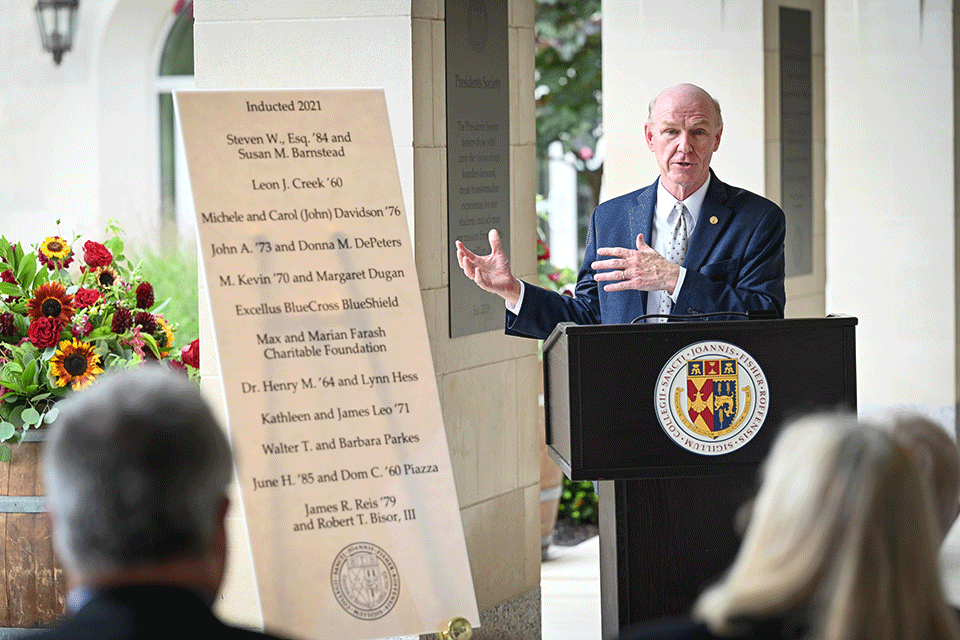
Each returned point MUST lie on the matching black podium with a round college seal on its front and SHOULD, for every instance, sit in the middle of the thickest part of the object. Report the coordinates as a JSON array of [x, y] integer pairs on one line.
[[674, 419]]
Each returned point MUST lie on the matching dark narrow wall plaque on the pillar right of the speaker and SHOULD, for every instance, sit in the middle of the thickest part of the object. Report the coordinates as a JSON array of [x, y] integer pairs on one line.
[[796, 137]]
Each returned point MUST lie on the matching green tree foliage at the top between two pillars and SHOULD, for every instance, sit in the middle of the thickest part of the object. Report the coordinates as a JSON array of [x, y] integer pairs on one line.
[[568, 75]]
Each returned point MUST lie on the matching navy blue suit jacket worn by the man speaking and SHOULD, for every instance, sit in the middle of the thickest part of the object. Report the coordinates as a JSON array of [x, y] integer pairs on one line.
[[734, 262]]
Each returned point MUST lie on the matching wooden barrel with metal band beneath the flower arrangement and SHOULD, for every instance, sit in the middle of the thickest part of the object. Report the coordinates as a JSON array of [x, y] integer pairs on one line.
[[33, 593]]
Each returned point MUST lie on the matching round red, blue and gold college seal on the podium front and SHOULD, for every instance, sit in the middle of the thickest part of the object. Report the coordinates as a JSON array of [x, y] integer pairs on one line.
[[712, 397]]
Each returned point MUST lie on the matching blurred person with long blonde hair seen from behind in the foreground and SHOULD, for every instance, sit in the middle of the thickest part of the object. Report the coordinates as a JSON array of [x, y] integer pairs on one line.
[[842, 544]]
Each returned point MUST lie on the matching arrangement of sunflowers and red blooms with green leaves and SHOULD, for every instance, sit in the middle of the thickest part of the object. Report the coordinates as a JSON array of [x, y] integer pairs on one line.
[[62, 327]]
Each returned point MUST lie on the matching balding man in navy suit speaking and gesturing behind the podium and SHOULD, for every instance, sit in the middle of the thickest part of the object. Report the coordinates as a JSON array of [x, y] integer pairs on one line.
[[687, 244]]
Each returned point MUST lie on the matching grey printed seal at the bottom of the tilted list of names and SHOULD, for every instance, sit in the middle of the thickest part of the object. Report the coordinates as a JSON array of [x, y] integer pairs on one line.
[[365, 581]]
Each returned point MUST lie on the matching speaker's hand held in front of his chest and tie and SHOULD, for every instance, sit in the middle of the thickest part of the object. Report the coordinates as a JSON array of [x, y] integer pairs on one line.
[[642, 269]]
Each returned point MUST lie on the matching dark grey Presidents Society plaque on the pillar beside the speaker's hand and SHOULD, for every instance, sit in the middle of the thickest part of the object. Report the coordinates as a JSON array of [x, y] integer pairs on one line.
[[478, 151]]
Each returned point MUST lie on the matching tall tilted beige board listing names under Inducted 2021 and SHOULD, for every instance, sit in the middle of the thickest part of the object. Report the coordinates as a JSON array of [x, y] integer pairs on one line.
[[334, 414]]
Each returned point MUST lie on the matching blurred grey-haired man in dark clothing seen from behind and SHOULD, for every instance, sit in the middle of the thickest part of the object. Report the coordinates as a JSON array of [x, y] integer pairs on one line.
[[136, 472]]
